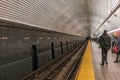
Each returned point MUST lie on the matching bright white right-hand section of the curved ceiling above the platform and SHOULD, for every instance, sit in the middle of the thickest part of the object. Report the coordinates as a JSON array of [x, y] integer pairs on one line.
[[104, 10]]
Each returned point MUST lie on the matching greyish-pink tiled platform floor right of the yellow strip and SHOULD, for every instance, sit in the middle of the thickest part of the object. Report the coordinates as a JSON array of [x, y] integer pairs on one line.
[[110, 72]]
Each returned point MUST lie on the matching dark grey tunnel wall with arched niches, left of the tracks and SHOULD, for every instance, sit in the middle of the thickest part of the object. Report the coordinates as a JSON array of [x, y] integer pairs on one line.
[[16, 42]]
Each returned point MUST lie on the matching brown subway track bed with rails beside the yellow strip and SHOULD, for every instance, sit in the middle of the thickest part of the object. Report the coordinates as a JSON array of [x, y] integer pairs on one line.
[[63, 68]]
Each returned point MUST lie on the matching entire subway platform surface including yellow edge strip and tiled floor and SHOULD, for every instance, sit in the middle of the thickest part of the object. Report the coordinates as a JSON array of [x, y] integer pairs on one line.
[[90, 69]]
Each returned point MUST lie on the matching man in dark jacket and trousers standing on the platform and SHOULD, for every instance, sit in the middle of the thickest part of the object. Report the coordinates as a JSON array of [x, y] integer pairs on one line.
[[105, 44]]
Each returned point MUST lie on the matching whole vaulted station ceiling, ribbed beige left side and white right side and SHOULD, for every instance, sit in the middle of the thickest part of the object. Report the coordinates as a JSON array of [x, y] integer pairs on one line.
[[77, 17]]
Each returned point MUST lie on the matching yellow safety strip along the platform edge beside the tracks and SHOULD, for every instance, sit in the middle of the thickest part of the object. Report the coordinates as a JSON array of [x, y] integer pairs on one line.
[[86, 69]]
